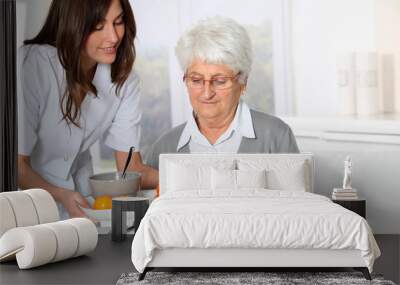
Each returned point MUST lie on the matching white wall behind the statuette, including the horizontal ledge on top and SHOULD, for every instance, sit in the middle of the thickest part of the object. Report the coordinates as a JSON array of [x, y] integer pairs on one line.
[[374, 146]]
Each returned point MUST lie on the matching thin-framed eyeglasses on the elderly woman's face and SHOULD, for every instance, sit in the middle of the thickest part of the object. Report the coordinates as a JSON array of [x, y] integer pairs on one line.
[[217, 82]]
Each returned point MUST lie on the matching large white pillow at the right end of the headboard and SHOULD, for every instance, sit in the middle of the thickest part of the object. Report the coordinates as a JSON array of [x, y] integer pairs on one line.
[[282, 174]]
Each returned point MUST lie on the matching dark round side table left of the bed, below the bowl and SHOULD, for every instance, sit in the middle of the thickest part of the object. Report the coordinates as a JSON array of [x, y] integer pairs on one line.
[[121, 205]]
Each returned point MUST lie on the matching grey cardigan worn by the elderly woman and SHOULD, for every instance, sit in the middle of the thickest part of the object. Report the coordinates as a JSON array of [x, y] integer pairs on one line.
[[272, 136]]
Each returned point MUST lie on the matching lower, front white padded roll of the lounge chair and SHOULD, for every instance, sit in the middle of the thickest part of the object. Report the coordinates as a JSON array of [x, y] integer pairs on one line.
[[40, 244]]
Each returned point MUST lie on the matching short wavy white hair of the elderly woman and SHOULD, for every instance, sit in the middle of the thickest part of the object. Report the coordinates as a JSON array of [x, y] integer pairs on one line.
[[217, 40]]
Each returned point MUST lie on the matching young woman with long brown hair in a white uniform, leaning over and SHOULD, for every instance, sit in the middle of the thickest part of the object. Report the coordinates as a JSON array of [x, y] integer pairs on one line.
[[77, 85]]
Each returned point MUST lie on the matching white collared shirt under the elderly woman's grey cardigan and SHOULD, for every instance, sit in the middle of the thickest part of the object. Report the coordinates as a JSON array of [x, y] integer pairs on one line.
[[229, 141]]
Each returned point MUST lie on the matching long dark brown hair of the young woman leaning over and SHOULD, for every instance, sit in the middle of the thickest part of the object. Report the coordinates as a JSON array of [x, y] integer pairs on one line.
[[68, 25]]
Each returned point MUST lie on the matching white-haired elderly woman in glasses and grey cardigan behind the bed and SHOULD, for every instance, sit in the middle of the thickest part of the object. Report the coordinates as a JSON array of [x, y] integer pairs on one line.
[[216, 58]]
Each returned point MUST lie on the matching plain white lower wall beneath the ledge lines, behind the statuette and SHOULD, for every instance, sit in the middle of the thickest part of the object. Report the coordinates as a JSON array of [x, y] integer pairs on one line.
[[376, 175]]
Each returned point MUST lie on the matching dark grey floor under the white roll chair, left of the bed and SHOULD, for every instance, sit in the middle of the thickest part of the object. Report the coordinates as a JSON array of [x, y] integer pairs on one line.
[[102, 266]]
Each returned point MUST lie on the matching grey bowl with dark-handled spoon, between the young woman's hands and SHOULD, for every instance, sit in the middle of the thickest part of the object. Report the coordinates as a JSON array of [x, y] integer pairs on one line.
[[112, 184]]
